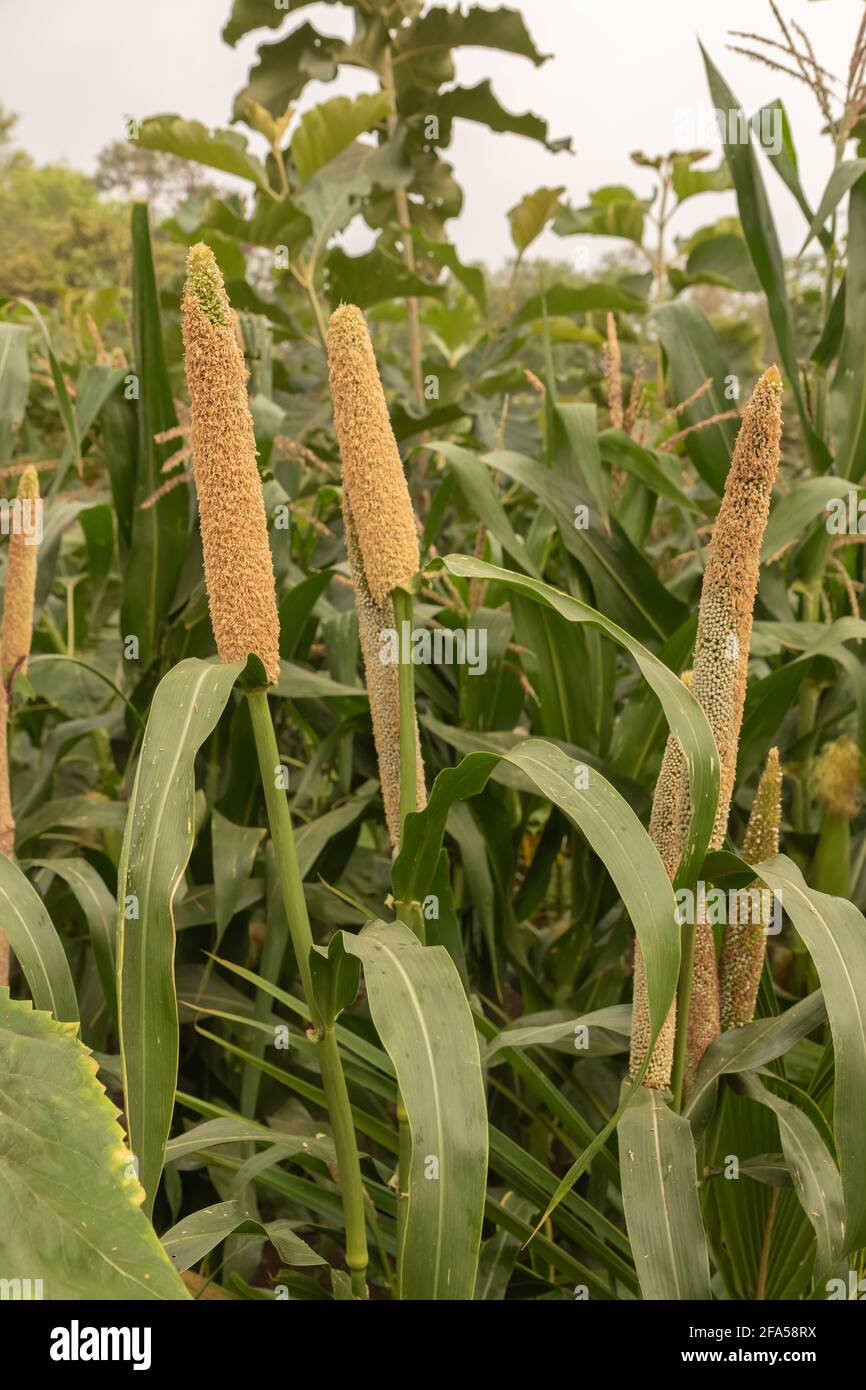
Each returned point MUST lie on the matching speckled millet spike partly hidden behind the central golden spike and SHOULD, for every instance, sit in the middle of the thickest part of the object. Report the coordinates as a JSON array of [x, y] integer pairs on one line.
[[383, 686]]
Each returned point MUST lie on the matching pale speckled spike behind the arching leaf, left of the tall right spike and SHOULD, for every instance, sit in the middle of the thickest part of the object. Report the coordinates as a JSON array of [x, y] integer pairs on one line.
[[665, 832]]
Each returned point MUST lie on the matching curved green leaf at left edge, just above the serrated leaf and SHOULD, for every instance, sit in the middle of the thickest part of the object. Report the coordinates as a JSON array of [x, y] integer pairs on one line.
[[35, 943]]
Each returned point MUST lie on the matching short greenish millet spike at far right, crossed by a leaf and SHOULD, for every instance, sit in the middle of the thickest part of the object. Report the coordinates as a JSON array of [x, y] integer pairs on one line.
[[743, 949]]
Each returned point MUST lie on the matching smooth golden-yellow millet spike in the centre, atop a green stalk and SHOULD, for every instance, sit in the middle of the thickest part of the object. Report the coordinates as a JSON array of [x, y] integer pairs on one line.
[[373, 475]]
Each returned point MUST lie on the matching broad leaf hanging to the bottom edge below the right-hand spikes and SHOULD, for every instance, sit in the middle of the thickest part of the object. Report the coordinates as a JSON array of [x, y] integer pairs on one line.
[[661, 1200]]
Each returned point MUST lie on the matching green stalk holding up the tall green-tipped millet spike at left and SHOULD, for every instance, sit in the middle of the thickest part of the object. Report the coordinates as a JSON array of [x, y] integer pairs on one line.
[[330, 1061]]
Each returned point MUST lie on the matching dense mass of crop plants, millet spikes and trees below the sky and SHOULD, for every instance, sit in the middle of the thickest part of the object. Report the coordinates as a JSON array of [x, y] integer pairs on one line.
[[366, 1006]]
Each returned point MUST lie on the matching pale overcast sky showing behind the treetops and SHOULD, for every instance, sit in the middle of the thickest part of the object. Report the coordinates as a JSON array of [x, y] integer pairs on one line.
[[625, 74]]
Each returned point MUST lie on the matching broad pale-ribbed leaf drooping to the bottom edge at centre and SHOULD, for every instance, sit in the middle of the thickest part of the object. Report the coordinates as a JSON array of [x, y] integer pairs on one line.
[[426, 1027]]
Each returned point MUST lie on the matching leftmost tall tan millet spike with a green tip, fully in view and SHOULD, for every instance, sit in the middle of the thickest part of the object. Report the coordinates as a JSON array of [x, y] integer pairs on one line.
[[238, 566]]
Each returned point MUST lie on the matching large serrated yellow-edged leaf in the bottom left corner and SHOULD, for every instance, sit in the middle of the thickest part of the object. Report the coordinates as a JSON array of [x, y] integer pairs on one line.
[[70, 1203]]
